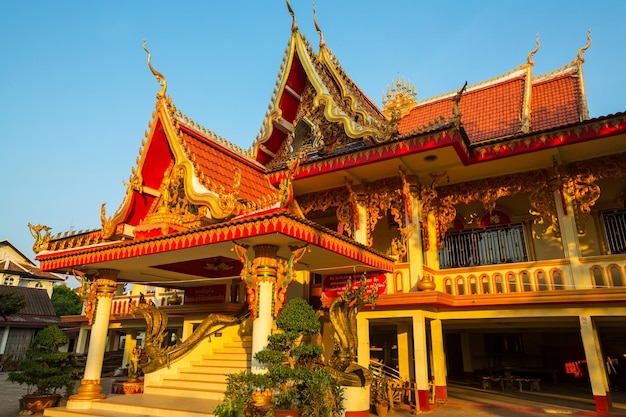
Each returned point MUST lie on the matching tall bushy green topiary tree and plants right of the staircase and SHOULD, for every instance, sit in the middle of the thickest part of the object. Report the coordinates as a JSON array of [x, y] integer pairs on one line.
[[296, 378]]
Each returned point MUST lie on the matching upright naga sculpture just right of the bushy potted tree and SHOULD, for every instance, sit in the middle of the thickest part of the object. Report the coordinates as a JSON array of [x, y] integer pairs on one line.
[[342, 314]]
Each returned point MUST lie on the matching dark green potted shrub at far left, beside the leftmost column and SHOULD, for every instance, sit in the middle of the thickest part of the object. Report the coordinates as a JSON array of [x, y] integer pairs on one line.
[[45, 370]]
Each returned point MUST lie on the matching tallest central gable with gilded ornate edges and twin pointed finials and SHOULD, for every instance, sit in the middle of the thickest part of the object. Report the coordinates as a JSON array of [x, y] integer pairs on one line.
[[313, 88]]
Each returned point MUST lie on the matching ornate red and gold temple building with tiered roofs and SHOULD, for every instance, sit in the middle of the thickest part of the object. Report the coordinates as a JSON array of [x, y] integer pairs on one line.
[[491, 220]]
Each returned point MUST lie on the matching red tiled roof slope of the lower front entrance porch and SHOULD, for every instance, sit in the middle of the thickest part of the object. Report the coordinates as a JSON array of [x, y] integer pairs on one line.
[[219, 166]]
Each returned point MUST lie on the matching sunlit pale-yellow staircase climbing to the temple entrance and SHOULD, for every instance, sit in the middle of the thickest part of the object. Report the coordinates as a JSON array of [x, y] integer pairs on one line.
[[189, 391]]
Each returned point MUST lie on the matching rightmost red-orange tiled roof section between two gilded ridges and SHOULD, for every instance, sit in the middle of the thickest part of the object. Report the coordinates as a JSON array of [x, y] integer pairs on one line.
[[556, 101]]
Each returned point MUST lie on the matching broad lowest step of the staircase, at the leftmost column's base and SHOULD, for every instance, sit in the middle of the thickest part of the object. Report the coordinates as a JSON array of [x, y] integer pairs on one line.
[[140, 406]]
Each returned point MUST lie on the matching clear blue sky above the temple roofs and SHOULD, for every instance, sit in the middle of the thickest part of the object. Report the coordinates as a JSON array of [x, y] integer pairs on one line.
[[77, 93]]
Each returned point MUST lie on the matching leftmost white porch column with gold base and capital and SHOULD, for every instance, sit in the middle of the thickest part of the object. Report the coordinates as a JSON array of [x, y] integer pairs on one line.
[[90, 388]]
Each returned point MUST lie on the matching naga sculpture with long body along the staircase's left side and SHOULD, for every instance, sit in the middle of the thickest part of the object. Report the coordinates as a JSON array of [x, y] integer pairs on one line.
[[156, 323]]
